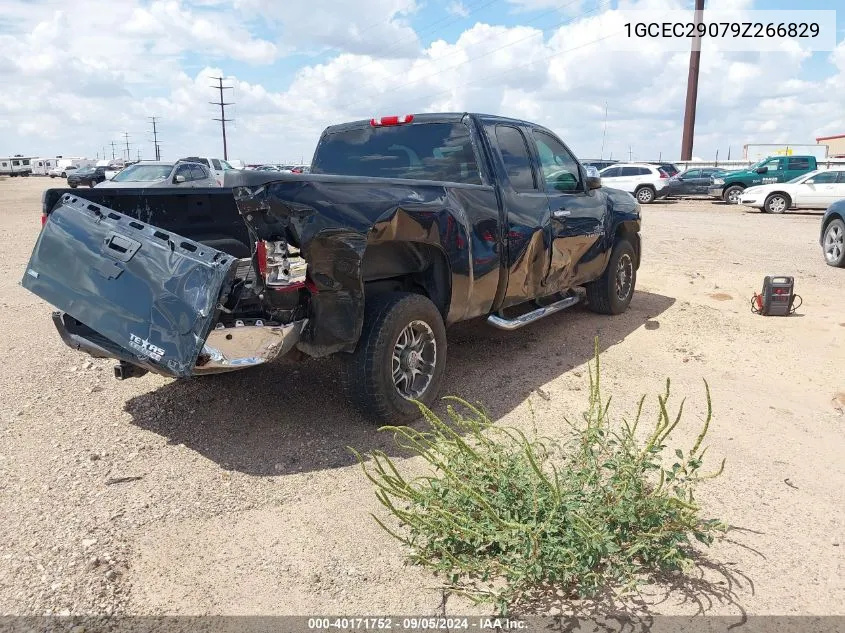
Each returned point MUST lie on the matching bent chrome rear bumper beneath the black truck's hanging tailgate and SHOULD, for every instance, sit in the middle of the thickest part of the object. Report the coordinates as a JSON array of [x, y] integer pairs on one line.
[[226, 348]]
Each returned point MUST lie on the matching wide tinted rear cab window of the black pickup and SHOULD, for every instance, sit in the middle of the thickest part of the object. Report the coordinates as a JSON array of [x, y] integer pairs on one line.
[[415, 151]]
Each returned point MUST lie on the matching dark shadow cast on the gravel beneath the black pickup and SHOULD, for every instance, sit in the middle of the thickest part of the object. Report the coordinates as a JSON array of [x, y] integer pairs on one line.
[[291, 418]]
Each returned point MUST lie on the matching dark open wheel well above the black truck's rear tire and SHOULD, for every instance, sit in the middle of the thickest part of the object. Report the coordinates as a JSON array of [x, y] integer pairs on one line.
[[410, 267]]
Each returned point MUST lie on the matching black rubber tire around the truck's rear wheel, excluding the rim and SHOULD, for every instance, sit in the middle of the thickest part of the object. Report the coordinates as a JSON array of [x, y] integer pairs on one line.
[[368, 373]]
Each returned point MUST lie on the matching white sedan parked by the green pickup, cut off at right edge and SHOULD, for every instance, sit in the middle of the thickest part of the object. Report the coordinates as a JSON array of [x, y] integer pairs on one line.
[[816, 190]]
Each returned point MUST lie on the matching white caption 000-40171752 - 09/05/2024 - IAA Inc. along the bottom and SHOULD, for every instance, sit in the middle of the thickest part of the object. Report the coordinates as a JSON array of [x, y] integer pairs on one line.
[[416, 624]]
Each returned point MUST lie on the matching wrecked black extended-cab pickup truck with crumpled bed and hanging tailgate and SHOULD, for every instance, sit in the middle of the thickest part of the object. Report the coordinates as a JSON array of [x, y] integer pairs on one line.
[[405, 225]]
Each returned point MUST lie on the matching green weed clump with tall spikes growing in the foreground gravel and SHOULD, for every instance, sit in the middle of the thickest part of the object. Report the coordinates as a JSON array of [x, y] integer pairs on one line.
[[504, 517]]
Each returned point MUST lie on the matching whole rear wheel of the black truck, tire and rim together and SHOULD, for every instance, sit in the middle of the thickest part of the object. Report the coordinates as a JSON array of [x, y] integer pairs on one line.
[[400, 357]]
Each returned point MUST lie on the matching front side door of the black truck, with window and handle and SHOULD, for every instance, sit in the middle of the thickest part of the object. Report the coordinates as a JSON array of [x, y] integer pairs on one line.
[[577, 215]]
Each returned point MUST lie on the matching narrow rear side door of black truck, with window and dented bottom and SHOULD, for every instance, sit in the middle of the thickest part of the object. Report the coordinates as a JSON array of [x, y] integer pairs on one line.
[[527, 219]]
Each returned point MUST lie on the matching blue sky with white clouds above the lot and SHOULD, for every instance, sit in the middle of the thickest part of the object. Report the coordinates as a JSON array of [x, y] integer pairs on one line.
[[75, 77]]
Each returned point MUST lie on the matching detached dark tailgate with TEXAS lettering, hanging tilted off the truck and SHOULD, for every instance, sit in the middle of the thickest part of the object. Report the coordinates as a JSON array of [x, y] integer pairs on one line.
[[152, 293]]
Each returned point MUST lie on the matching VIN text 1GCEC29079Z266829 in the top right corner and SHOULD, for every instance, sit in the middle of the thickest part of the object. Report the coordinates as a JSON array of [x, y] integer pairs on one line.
[[722, 29]]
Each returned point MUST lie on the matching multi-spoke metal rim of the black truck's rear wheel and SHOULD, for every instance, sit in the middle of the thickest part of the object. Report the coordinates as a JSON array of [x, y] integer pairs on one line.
[[414, 359]]
